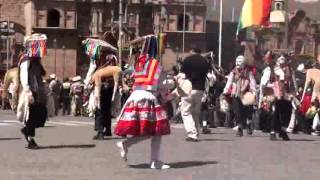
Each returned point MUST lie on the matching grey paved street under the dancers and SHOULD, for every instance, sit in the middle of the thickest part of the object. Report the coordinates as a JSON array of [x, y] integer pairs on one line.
[[69, 153]]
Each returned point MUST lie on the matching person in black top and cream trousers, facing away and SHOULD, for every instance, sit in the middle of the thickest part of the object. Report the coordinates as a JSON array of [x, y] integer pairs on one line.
[[195, 67]]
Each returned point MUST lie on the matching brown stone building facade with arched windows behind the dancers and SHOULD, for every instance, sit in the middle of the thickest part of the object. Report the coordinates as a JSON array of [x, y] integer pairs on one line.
[[68, 22]]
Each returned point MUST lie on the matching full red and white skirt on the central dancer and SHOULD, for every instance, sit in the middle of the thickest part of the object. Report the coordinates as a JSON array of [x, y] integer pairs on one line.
[[142, 115]]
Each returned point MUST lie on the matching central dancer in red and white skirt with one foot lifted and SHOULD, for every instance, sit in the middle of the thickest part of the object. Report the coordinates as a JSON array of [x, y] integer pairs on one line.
[[142, 116]]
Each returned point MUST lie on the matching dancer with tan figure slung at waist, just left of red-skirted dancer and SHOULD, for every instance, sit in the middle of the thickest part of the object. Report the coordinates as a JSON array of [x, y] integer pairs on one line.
[[103, 64]]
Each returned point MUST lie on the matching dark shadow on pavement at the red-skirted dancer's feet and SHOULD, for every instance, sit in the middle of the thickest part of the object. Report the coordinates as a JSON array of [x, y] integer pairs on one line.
[[177, 165]]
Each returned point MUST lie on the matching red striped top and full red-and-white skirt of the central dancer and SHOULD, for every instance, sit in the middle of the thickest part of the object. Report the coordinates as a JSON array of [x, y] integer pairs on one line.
[[142, 115]]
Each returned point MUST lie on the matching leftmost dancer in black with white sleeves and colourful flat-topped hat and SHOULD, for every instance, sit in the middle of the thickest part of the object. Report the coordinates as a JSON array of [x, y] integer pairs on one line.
[[32, 103]]
